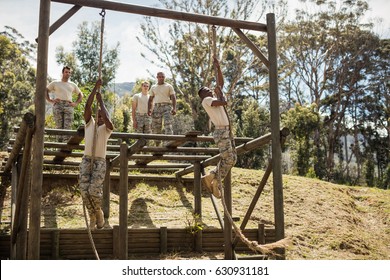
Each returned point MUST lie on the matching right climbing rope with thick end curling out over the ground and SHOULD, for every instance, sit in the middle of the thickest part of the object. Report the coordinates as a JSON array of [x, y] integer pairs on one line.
[[267, 249]]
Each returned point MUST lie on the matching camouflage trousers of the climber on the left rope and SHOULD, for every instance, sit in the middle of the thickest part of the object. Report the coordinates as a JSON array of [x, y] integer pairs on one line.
[[91, 182]]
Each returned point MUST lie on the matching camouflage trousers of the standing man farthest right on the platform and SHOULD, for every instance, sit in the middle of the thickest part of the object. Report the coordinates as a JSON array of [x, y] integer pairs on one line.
[[160, 112]]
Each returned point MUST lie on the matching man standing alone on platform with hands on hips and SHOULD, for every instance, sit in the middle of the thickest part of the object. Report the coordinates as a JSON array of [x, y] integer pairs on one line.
[[63, 105]]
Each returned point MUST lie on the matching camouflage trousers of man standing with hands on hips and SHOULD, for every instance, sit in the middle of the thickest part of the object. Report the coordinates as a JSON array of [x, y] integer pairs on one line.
[[63, 114]]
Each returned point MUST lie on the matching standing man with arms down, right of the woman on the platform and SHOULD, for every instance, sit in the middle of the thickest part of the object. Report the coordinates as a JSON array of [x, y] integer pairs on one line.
[[163, 98]]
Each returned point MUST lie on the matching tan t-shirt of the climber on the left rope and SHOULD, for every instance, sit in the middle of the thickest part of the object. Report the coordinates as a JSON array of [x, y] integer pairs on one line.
[[103, 133]]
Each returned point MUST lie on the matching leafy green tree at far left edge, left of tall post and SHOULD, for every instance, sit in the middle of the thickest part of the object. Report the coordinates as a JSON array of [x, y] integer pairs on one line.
[[17, 81]]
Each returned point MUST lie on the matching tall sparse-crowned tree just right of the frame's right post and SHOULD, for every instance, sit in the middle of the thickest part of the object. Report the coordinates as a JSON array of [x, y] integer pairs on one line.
[[326, 56]]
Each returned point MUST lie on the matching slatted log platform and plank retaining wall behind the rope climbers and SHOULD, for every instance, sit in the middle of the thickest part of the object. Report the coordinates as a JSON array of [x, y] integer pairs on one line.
[[180, 155]]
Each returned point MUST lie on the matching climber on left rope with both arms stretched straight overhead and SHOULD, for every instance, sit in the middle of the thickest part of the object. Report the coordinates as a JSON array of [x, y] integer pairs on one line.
[[92, 177]]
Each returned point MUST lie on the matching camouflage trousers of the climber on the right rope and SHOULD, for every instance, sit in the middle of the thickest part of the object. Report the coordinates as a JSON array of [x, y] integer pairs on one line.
[[228, 155]]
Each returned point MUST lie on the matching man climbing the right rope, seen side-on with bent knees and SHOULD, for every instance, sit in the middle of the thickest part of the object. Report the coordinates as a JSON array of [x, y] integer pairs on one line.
[[213, 102]]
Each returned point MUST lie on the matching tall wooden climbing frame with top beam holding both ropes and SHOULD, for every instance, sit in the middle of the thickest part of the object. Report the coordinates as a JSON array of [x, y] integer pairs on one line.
[[45, 30]]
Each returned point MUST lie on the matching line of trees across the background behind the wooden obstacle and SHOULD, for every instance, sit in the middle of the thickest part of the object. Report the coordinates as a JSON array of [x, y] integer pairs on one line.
[[333, 82]]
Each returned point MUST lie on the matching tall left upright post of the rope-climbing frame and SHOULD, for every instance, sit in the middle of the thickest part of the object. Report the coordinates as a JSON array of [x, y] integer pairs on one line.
[[40, 102]]
